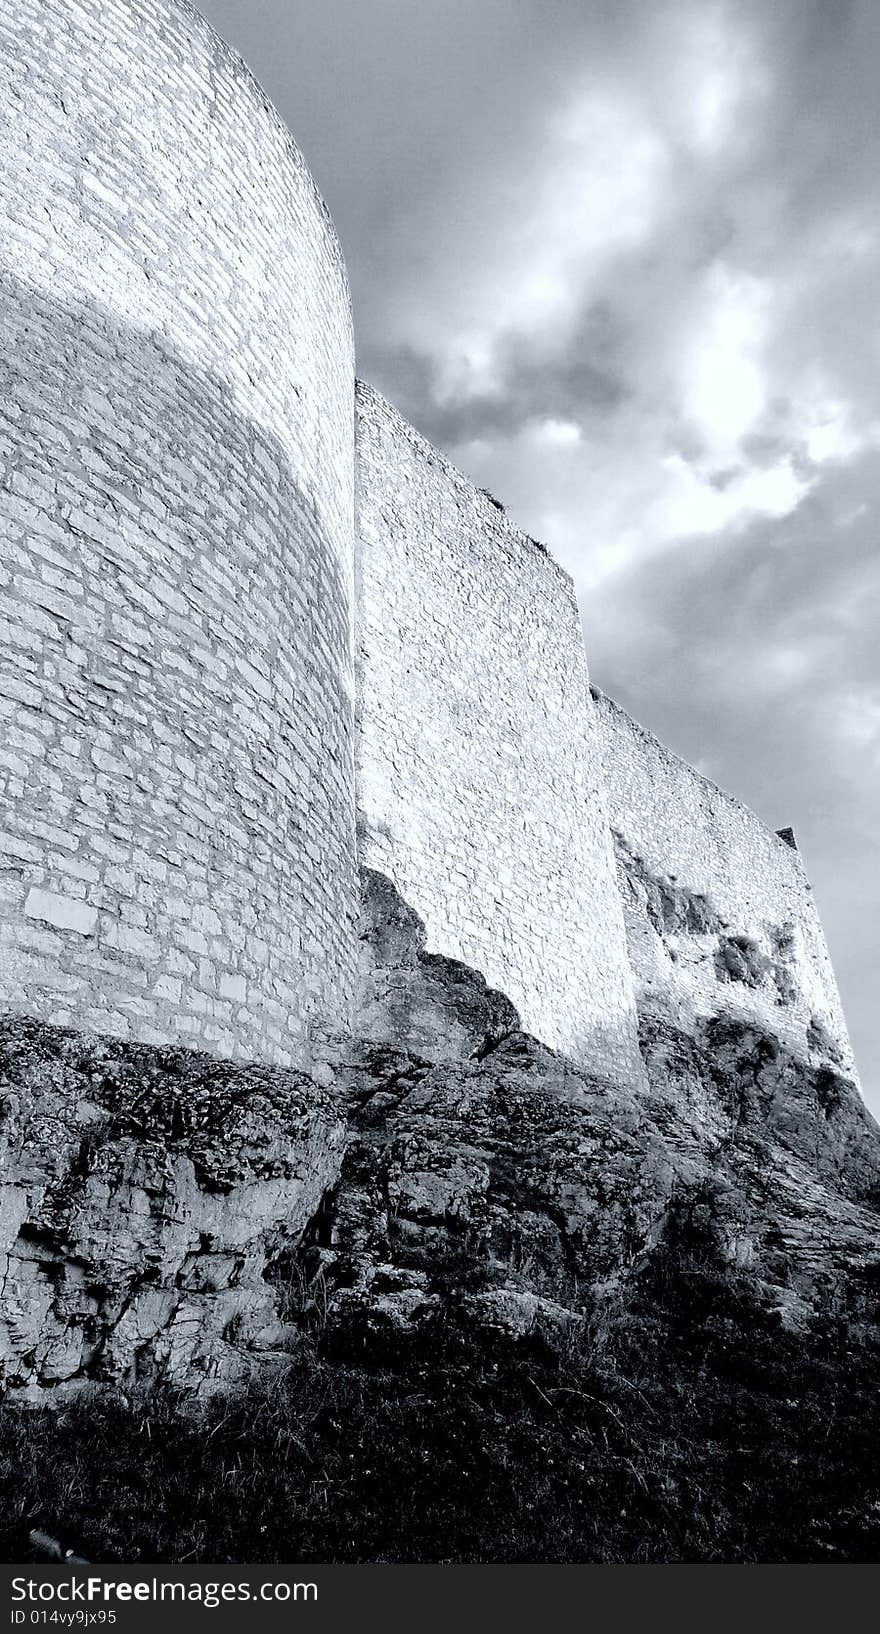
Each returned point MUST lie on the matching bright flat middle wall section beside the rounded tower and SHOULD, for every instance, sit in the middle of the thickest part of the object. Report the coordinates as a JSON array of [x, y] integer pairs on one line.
[[479, 770]]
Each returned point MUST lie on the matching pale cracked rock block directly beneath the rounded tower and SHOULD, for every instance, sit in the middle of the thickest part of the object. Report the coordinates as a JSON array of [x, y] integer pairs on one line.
[[143, 1194]]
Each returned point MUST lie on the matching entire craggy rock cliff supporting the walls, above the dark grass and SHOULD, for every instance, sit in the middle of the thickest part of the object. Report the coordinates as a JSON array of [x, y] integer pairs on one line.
[[172, 1220]]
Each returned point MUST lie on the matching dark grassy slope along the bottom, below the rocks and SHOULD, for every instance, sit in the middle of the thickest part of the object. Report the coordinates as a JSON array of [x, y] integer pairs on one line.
[[696, 1429]]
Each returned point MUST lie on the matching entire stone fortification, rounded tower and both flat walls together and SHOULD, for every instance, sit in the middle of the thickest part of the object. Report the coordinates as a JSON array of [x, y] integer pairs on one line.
[[177, 628]]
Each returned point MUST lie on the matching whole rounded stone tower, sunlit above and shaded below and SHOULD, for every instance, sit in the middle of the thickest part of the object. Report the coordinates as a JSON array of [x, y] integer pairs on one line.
[[177, 468]]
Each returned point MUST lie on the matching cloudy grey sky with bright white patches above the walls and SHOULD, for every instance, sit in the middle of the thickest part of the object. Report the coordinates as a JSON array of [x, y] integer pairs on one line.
[[621, 261]]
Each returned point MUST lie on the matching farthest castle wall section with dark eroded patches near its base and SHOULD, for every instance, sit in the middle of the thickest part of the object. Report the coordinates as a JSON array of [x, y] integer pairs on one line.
[[721, 916]]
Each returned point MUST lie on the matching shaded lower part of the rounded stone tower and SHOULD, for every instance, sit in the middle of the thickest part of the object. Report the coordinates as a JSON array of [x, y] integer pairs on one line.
[[177, 782]]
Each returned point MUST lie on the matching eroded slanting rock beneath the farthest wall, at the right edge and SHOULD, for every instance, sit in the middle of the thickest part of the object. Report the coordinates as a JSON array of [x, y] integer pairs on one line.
[[781, 1163]]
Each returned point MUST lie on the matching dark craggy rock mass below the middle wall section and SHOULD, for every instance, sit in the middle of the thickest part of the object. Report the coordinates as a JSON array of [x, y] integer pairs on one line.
[[515, 1179]]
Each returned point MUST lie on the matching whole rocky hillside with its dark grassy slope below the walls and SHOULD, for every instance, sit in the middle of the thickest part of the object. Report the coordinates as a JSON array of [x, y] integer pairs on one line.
[[464, 1303]]
